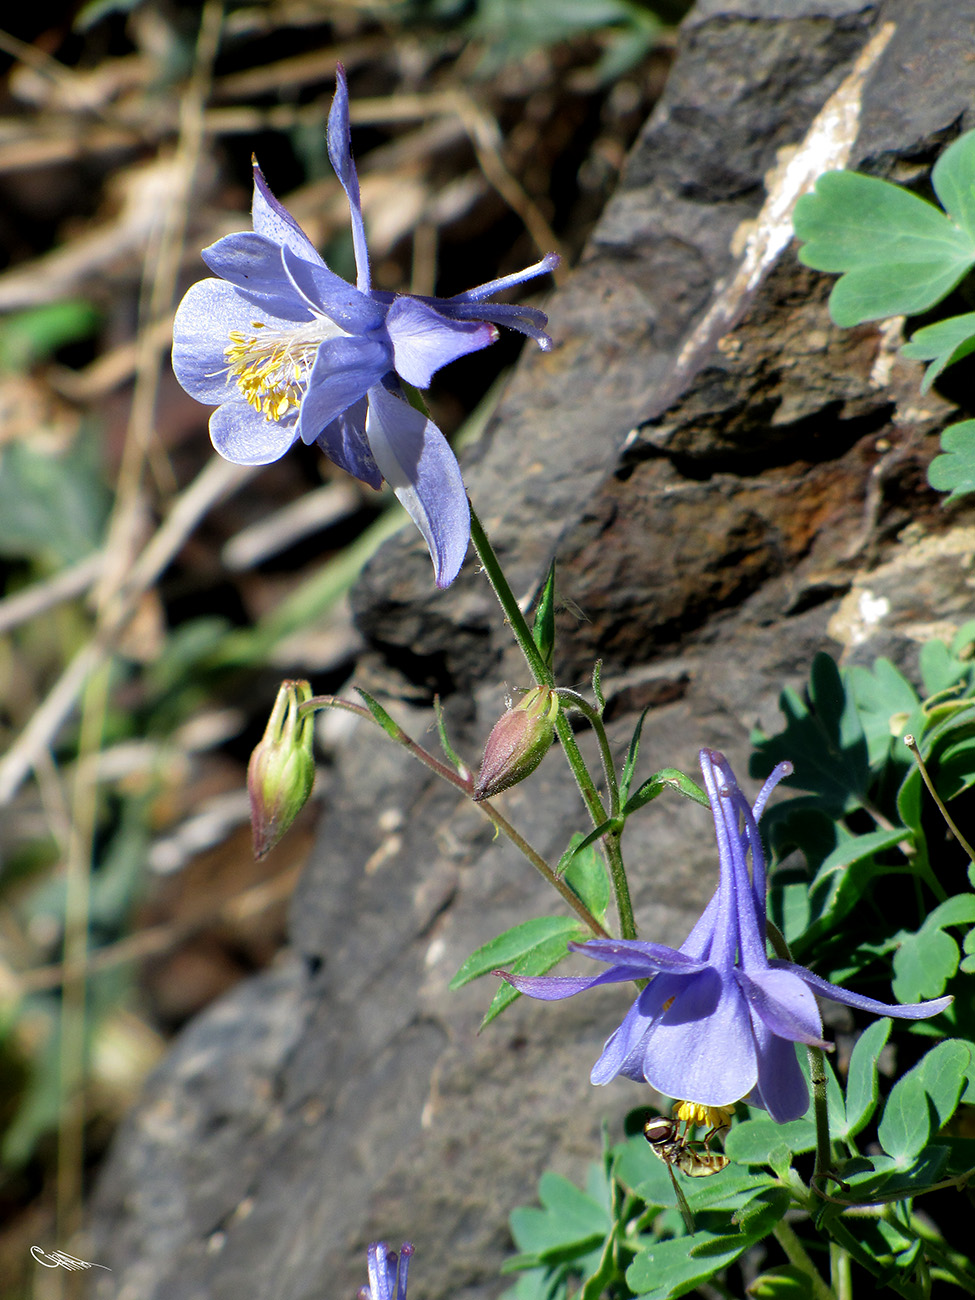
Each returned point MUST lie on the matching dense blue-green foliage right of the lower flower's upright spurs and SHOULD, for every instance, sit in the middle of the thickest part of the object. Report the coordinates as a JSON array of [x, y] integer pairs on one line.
[[866, 820]]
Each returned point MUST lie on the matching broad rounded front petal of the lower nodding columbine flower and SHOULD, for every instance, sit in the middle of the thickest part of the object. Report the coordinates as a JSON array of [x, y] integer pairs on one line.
[[703, 1050]]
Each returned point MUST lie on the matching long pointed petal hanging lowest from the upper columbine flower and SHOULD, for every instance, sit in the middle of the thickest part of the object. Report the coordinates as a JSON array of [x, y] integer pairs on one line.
[[417, 462]]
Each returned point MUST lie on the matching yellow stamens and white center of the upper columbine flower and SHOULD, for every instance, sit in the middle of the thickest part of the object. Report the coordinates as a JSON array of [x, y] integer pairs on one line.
[[272, 369]]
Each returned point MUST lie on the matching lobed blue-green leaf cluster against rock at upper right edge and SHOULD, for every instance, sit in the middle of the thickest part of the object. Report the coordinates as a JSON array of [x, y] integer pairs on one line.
[[900, 255]]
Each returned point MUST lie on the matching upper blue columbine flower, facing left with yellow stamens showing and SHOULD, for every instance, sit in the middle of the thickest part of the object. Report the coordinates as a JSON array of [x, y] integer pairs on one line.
[[288, 350]]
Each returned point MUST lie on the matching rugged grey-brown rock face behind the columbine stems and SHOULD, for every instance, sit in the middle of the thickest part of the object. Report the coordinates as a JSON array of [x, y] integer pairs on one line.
[[722, 475]]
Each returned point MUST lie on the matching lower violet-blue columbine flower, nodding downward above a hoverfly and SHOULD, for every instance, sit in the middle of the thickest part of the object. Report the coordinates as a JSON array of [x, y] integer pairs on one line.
[[720, 1017]]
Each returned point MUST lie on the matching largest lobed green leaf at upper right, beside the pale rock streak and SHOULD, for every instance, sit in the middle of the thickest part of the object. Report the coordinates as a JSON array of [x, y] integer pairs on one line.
[[900, 255]]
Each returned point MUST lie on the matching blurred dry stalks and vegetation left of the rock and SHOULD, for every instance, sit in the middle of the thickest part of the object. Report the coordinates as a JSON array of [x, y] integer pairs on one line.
[[154, 596]]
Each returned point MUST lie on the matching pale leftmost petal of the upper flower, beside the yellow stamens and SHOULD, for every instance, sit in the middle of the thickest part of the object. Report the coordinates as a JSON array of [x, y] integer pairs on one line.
[[210, 310]]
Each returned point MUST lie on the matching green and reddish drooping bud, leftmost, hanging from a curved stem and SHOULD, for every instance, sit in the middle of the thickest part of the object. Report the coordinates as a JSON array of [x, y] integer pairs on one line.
[[281, 773]]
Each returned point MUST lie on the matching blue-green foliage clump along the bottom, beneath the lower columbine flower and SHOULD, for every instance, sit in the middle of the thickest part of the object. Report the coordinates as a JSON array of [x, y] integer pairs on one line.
[[625, 1237]]
